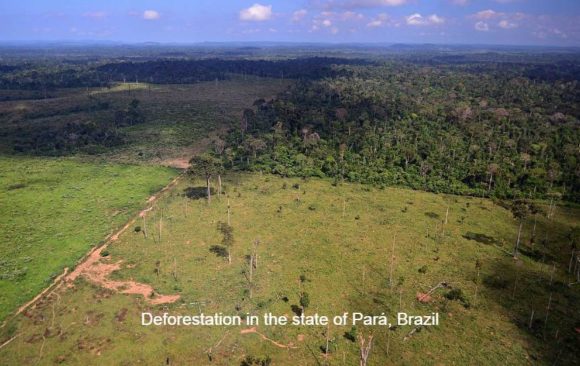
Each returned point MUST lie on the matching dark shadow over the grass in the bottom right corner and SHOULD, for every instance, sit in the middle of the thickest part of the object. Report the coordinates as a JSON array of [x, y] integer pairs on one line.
[[541, 306]]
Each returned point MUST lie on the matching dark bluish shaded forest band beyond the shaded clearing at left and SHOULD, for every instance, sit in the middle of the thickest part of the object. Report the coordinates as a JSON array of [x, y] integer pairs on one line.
[[164, 71]]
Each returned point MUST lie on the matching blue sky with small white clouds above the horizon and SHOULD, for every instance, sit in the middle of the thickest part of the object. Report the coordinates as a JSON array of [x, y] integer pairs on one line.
[[525, 22]]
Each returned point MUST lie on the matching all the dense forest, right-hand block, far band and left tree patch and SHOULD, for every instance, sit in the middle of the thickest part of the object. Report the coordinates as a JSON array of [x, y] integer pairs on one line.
[[488, 124]]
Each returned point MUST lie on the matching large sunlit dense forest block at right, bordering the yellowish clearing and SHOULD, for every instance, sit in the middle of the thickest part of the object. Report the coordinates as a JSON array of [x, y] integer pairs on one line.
[[474, 129]]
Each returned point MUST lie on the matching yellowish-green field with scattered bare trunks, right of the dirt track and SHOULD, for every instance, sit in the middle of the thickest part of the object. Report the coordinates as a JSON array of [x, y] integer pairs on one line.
[[340, 239]]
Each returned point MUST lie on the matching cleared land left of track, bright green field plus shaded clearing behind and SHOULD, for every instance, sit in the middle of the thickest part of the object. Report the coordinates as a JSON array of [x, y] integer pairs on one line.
[[53, 210]]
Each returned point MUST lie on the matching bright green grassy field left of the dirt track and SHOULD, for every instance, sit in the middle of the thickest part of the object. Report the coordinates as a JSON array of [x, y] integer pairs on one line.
[[54, 210]]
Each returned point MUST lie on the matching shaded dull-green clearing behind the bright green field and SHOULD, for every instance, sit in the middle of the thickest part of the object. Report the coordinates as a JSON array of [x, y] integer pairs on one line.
[[179, 121]]
